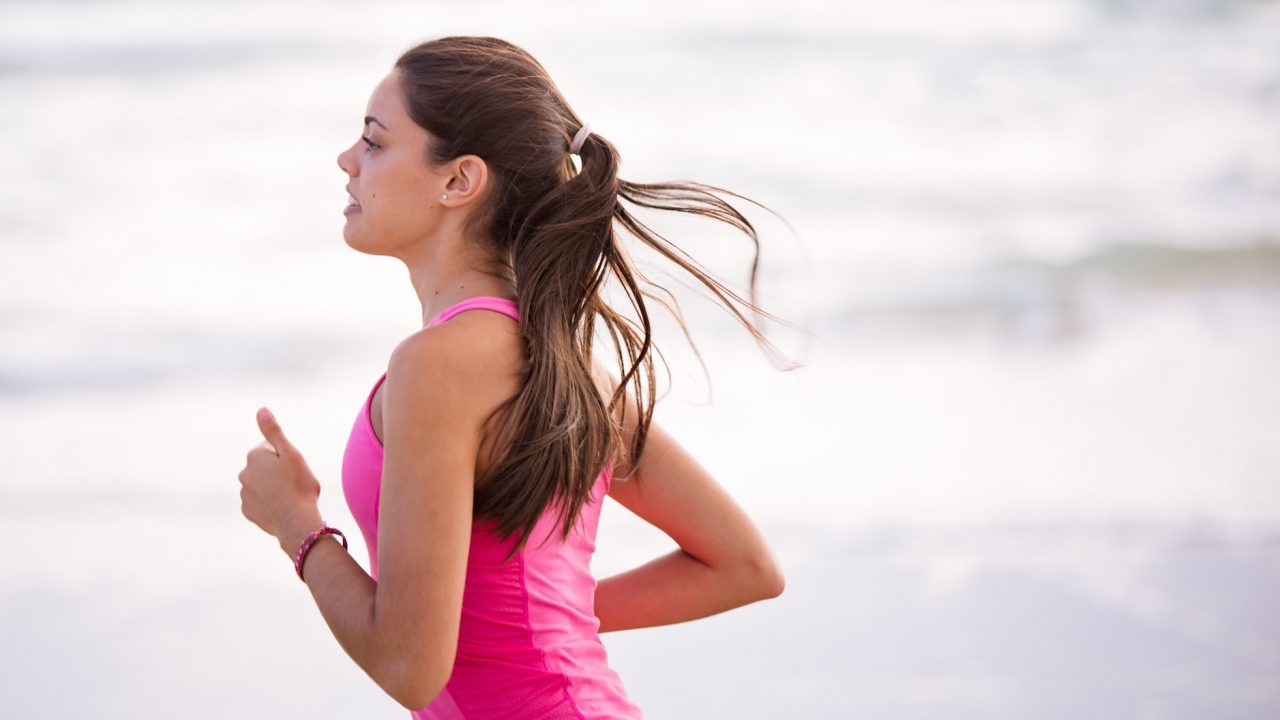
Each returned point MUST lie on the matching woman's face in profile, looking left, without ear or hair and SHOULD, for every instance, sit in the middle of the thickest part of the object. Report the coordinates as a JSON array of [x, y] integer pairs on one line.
[[396, 194]]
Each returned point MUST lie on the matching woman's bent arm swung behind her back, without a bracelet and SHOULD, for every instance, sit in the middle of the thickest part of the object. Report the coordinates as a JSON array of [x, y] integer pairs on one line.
[[723, 563]]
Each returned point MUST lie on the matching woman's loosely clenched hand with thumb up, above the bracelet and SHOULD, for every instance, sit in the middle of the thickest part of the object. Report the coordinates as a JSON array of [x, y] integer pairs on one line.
[[278, 491]]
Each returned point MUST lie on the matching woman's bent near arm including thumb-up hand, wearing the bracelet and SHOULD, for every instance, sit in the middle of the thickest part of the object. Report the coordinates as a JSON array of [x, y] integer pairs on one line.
[[401, 630]]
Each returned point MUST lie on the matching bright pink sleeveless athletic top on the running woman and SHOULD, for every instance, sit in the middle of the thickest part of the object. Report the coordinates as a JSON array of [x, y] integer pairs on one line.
[[528, 641]]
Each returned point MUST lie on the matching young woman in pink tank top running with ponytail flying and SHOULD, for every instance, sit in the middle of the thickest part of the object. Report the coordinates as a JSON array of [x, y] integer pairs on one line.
[[479, 462]]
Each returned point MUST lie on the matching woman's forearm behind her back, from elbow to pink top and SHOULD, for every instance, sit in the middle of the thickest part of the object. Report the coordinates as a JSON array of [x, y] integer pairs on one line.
[[675, 589]]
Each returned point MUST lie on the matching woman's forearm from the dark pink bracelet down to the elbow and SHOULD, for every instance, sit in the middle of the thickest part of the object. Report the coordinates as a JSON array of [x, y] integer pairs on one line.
[[345, 595]]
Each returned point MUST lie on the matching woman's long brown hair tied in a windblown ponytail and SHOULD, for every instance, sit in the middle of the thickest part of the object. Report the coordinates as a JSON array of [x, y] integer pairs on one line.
[[552, 227]]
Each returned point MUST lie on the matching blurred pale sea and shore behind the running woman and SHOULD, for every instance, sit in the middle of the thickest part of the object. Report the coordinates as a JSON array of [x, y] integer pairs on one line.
[[1031, 467]]
